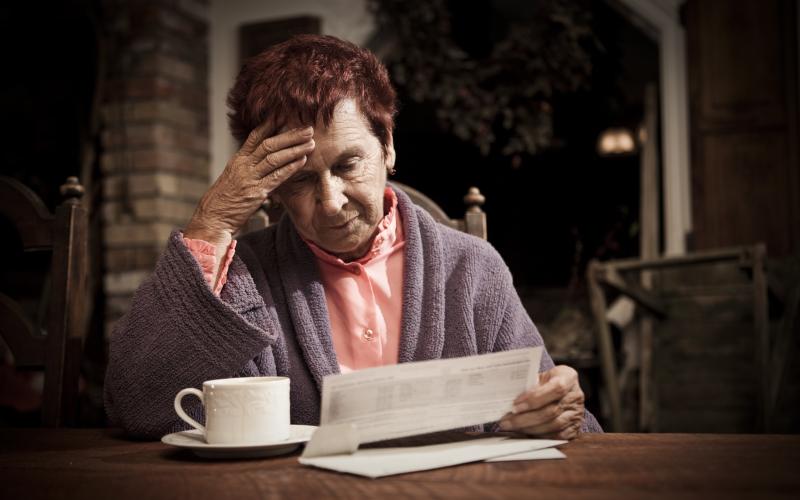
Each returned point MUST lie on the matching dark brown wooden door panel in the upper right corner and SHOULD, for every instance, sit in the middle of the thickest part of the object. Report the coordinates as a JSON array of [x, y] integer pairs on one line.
[[744, 123]]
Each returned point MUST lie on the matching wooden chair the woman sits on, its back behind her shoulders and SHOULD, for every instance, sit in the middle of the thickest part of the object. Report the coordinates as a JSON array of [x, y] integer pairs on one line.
[[474, 221]]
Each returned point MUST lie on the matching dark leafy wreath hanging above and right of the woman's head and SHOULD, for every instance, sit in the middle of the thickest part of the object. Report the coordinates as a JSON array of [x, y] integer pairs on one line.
[[502, 100]]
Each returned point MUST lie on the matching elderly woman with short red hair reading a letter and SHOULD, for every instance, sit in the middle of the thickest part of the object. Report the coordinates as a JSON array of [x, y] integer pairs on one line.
[[354, 276]]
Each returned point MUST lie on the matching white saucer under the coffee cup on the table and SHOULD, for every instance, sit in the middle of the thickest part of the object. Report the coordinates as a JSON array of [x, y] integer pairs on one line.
[[194, 440]]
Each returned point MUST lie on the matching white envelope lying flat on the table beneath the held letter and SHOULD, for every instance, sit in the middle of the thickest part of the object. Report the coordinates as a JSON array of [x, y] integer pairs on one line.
[[379, 462]]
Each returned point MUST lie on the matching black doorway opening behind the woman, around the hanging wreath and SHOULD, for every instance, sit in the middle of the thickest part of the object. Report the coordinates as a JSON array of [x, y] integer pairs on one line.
[[550, 213]]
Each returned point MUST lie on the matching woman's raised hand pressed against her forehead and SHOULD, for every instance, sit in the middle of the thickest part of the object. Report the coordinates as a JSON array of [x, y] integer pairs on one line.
[[258, 168]]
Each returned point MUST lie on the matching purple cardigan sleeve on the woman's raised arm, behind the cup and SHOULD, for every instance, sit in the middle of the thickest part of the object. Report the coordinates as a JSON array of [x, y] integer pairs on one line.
[[177, 334]]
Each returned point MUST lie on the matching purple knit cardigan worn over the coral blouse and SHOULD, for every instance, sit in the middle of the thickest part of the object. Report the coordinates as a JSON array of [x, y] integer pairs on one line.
[[271, 319]]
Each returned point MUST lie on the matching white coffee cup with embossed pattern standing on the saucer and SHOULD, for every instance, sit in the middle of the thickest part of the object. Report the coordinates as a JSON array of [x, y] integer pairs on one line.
[[247, 410]]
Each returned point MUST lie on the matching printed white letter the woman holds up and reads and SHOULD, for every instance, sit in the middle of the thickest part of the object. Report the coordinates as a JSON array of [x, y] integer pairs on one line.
[[416, 398]]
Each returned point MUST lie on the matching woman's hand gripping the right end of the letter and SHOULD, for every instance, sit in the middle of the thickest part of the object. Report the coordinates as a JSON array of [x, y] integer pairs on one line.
[[553, 409]]
